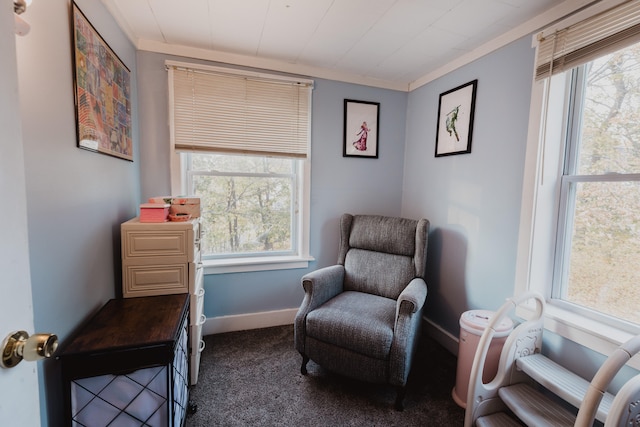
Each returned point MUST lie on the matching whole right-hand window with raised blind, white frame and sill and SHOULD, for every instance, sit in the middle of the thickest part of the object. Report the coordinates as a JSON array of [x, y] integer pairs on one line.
[[582, 177]]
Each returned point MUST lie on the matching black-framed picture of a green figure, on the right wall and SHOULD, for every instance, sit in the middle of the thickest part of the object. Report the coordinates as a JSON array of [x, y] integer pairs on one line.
[[455, 120]]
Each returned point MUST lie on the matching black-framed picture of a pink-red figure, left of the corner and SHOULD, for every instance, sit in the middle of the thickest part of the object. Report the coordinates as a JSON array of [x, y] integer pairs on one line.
[[361, 125]]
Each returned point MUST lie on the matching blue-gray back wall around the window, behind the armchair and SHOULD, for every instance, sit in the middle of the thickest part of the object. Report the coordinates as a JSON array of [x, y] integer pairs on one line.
[[338, 184]]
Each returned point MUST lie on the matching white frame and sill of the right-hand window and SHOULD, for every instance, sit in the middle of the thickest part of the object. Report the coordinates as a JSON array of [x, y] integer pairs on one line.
[[539, 232]]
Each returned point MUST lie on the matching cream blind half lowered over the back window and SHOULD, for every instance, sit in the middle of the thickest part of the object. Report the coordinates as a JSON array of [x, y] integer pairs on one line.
[[214, 110]]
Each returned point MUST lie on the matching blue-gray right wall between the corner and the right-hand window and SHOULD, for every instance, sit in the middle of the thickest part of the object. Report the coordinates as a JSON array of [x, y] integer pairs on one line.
[[473, 200]]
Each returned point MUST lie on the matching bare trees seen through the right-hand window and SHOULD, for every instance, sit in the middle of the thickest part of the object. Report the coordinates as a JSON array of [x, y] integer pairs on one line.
[[604, 189]]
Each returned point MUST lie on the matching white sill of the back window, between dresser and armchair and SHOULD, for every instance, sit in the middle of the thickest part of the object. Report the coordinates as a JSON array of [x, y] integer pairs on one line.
[[239, 265]]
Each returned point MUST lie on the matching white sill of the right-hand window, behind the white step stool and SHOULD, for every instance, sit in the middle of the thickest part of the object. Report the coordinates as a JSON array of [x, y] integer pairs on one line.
[[594, 335]]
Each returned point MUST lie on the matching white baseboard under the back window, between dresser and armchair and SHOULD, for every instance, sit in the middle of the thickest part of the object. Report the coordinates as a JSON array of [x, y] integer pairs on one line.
[[241, 322]]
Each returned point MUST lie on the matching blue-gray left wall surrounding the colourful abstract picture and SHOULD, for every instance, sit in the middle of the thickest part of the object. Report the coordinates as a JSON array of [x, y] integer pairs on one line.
[[76, 199]]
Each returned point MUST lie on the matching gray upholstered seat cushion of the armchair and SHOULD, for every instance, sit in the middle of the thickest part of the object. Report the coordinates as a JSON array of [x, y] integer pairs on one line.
[[356, 321]]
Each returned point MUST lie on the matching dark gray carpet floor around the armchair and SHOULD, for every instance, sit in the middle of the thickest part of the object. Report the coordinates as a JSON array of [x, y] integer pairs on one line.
[[252, 378]]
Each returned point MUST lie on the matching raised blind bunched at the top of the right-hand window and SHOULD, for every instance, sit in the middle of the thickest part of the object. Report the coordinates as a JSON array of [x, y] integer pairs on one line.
[[577, 44]]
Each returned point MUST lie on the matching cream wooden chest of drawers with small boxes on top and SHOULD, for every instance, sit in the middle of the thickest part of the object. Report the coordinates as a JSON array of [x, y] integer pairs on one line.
[[164, 258]]
